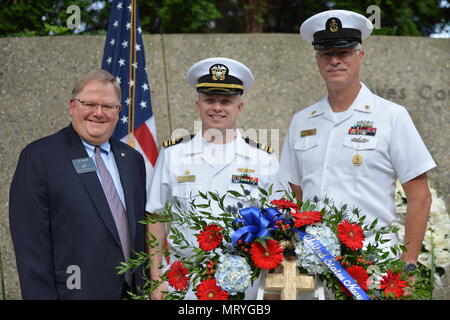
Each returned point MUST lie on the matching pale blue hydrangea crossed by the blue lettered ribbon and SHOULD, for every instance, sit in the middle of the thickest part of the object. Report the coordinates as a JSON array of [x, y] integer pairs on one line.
[[307, 259]]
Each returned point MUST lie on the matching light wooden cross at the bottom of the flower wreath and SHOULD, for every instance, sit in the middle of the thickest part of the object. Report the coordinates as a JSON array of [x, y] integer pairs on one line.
[[290, 282]]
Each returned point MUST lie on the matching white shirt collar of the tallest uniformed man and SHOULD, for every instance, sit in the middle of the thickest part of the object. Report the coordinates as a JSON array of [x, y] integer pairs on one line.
[[362, 103]]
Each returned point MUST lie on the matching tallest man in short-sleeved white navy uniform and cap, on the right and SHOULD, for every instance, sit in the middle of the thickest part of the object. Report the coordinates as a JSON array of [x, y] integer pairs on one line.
[[352, 145]]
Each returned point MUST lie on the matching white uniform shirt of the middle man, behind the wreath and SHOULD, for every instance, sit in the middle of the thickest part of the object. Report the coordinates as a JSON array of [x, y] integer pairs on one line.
[[212, 166]]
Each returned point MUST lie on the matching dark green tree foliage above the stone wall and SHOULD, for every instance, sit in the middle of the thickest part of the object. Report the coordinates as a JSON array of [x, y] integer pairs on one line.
[[44, 17]]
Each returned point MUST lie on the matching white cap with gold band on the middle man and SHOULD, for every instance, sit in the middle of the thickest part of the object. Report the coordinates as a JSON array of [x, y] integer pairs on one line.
[[220, 75]]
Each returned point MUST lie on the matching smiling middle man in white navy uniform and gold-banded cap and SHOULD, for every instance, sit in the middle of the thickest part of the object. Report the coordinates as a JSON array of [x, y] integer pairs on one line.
[[217, 158]]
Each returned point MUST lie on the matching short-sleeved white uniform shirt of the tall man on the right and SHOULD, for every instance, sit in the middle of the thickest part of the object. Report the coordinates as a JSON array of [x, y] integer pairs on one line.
[[321, 163]]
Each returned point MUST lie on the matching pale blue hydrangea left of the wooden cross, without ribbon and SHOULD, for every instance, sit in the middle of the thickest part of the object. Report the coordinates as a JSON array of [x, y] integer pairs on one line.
[[233, 274]]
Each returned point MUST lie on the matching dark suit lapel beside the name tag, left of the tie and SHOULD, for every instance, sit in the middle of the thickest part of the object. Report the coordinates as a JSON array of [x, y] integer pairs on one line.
[[91, 183]]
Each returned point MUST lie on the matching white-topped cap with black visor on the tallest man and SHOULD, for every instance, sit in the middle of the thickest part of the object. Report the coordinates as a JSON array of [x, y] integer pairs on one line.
[[336, 29]]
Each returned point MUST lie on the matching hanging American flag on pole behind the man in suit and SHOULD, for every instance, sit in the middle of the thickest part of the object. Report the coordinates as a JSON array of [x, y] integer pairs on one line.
[[124, 57]]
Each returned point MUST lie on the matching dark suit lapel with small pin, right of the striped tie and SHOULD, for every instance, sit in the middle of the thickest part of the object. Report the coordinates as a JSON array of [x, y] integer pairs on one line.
[[123, 164]]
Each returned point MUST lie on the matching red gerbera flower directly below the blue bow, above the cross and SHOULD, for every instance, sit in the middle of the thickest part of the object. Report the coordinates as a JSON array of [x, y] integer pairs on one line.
[[268, 257]]
